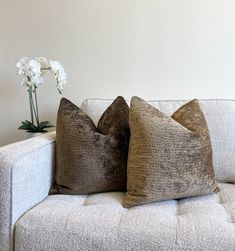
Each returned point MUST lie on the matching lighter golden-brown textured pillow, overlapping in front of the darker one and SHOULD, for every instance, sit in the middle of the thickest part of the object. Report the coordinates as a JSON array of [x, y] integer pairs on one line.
[[169, 157]]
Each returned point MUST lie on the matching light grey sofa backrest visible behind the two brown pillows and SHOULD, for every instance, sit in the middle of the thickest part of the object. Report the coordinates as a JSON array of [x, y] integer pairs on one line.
[[220, 116]]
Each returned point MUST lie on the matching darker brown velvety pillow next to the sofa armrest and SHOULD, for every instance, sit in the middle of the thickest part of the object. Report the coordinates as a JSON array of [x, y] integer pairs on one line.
[[91, 159]]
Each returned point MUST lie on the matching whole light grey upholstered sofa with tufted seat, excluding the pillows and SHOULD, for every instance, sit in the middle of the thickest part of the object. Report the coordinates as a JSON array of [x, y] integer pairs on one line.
[[32, 220]]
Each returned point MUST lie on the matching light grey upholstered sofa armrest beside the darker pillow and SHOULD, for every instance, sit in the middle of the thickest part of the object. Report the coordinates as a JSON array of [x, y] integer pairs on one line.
[[26, 171]]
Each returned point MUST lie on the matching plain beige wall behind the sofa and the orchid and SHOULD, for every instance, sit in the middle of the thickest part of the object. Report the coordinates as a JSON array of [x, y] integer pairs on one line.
[[158, 49]]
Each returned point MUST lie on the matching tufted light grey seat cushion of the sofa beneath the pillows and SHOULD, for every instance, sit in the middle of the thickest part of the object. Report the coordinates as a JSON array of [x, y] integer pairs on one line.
[[99, 222]]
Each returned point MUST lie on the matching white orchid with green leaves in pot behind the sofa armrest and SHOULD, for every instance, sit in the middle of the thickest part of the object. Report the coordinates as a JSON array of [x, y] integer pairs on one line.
[[31, 72]]
